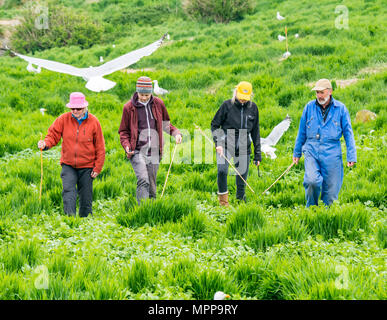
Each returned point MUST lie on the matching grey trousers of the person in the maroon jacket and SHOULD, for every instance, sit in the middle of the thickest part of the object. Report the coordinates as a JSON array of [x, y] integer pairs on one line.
[[146, 173]]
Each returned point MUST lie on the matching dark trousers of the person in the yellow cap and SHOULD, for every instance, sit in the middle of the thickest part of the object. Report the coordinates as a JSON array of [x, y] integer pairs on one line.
[[241, 164]]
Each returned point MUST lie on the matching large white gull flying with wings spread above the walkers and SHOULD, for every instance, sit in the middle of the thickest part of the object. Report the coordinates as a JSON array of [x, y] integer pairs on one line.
[[94, 75]]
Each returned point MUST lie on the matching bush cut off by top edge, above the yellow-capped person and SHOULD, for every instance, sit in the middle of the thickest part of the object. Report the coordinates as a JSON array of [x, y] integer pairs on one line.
[[219, 11]]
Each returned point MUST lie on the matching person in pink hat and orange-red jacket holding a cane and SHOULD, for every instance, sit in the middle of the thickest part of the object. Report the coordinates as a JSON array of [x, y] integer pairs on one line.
[[82, 154]]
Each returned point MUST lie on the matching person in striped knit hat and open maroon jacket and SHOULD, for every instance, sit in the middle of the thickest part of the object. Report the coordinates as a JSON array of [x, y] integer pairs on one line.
[[144, 118]]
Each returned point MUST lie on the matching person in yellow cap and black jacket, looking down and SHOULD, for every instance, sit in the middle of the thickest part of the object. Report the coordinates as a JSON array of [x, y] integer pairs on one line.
[[234, 126]]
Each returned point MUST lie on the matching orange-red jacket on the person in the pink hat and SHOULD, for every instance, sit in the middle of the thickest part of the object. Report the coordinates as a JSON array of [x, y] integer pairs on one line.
[[83, 145]]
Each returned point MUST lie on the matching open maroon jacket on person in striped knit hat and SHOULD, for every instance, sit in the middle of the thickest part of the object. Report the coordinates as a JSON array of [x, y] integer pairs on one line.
[[129, 124]]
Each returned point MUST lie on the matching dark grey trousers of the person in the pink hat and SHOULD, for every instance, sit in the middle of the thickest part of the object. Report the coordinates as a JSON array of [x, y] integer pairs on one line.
[[77, 181]]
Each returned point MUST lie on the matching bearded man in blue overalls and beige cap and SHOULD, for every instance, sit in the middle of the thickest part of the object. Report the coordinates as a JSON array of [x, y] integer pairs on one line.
[[322, 124]]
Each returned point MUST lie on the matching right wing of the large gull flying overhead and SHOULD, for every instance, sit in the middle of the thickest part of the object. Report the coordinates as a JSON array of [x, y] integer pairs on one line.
[[126, 60]]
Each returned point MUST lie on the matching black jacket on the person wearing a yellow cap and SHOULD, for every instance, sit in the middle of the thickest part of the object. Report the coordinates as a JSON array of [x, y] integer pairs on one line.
[[244, 119]]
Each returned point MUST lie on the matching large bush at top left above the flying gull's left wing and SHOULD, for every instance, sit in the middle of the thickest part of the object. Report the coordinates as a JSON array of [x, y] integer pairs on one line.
[[58, 27]]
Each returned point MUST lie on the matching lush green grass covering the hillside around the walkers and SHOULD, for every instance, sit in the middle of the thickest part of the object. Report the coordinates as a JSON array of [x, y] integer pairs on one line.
[[184, 246]]
